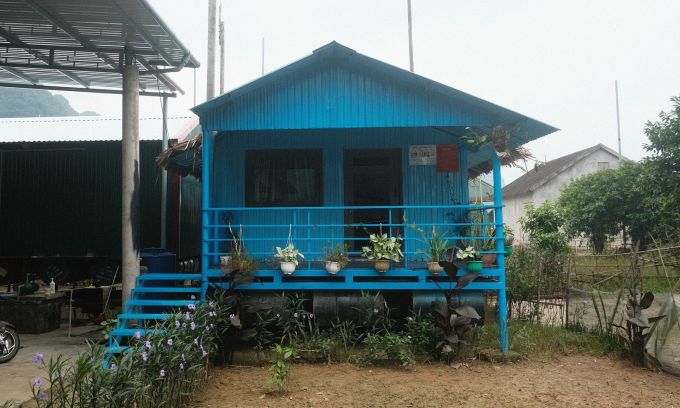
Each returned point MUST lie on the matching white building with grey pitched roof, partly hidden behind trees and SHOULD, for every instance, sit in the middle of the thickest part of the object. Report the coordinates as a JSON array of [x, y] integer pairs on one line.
[[547, 180]]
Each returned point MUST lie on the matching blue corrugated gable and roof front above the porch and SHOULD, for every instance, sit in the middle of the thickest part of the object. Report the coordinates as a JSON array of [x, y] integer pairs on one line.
[[336, 87]]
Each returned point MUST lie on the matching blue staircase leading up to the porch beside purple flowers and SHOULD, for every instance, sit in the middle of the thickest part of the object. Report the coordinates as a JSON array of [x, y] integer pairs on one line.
[[141, 312]]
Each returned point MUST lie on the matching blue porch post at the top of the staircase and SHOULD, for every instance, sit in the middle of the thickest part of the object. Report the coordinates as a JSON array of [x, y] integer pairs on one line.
[[205, 216]]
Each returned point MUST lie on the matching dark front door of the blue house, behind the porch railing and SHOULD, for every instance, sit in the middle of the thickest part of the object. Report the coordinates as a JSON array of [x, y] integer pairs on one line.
[[372, 177]]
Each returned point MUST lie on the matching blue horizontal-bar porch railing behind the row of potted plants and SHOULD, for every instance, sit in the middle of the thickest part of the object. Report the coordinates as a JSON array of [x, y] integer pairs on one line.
[[315, 229]]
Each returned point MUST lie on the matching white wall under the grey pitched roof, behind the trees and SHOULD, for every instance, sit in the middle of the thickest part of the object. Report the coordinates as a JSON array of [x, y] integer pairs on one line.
[[514, 206]]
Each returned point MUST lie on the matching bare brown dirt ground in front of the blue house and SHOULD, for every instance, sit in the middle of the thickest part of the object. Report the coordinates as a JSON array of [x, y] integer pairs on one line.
[[577, 380]]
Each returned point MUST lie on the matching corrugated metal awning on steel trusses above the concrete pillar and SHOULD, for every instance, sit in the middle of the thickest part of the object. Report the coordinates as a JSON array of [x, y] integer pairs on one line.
[[81, 45]]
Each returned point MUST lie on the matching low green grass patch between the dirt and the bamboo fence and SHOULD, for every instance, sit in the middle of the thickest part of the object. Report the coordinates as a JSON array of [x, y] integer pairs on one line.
[[538, 341]]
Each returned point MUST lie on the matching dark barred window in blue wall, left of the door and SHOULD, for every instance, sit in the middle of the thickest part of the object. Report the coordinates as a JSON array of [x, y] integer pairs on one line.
[[284, 178]]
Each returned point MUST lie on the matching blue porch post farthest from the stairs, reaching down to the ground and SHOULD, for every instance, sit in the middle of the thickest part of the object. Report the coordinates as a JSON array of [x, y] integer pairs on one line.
[[500, 250]]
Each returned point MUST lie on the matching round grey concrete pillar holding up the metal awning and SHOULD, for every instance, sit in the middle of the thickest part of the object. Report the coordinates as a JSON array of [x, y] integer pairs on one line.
[[130, 240]]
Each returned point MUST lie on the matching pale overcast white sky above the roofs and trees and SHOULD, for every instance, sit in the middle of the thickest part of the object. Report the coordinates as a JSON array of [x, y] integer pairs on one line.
[[554, 61]]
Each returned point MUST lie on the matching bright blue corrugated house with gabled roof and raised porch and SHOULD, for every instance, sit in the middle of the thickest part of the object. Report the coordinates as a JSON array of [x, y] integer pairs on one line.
[[337, 145]]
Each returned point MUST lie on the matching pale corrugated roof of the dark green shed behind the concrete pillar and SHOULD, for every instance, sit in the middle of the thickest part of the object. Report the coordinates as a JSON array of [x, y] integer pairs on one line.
[[88, 128]]
